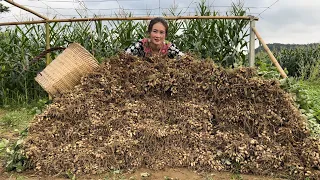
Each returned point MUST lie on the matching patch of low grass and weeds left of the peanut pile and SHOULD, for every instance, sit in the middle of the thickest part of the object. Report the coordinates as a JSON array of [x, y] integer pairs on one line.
[[13, 129]]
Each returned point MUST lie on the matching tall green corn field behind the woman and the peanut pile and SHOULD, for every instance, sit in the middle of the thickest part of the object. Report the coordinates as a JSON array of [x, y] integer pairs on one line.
[[219, 39]]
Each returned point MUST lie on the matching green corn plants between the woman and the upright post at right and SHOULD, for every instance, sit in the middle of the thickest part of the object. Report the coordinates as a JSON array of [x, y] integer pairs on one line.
[[226, 38]]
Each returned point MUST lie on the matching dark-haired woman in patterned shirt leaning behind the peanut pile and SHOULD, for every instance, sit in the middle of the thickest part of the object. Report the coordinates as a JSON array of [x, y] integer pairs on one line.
[[156, 44]]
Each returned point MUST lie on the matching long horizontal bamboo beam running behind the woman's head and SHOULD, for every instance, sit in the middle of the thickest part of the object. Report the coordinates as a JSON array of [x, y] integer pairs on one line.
[[125, 18]]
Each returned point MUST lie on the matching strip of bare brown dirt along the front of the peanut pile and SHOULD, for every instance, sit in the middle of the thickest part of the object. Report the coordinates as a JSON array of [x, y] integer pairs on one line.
[[143, 174]]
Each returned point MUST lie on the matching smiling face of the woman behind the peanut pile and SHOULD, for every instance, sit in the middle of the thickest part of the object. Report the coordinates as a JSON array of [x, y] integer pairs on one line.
[[158, 34]]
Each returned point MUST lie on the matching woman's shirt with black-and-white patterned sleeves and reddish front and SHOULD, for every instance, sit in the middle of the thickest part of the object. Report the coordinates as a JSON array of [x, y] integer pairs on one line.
[[143, 49]]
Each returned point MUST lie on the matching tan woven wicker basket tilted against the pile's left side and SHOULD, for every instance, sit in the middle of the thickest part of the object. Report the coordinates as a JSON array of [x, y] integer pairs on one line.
[[66, 70]]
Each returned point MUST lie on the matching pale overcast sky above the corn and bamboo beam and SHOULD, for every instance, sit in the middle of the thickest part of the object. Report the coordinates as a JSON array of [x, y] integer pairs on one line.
[[282, 21]]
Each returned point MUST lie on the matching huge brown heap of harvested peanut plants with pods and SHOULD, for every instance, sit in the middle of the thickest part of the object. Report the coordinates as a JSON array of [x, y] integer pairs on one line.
[[157, 113]]
